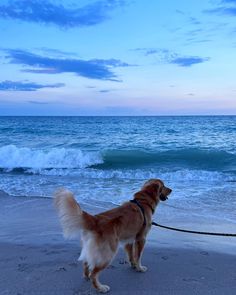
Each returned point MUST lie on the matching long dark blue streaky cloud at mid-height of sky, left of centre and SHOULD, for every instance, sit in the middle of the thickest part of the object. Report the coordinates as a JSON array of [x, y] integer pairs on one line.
[[100, 69]]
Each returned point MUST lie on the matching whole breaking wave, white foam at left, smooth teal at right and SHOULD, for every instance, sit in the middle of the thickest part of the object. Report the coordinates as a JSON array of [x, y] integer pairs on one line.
[[20, 160]]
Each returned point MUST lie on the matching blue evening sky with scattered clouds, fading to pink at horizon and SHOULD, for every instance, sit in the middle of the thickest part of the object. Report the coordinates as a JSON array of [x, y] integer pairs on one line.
[[118, 57]]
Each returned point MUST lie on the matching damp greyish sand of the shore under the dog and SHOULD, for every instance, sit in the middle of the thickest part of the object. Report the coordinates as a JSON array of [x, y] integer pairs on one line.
[[35, 259]]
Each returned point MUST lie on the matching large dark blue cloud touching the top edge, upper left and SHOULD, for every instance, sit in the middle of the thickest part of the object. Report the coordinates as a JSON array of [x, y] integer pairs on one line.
[[45, 12]]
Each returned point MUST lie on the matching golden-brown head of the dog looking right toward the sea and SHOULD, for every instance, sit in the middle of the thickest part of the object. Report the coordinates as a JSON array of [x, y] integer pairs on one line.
[[156, 189]]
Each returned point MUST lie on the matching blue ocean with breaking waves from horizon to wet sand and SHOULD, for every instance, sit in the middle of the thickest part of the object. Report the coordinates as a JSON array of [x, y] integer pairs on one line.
[[107, 159]]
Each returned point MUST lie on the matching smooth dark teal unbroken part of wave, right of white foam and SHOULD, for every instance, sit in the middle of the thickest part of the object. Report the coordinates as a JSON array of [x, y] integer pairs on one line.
[[185, 158]]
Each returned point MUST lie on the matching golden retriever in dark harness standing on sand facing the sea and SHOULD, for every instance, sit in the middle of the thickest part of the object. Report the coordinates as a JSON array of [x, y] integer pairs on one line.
[[102, 233]]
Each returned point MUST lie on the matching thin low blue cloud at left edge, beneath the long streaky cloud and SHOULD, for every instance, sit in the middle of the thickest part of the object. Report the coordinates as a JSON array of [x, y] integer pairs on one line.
[[25, 86]]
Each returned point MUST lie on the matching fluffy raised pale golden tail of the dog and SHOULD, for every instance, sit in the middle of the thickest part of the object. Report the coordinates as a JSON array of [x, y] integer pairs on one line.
[[72, 218]]
